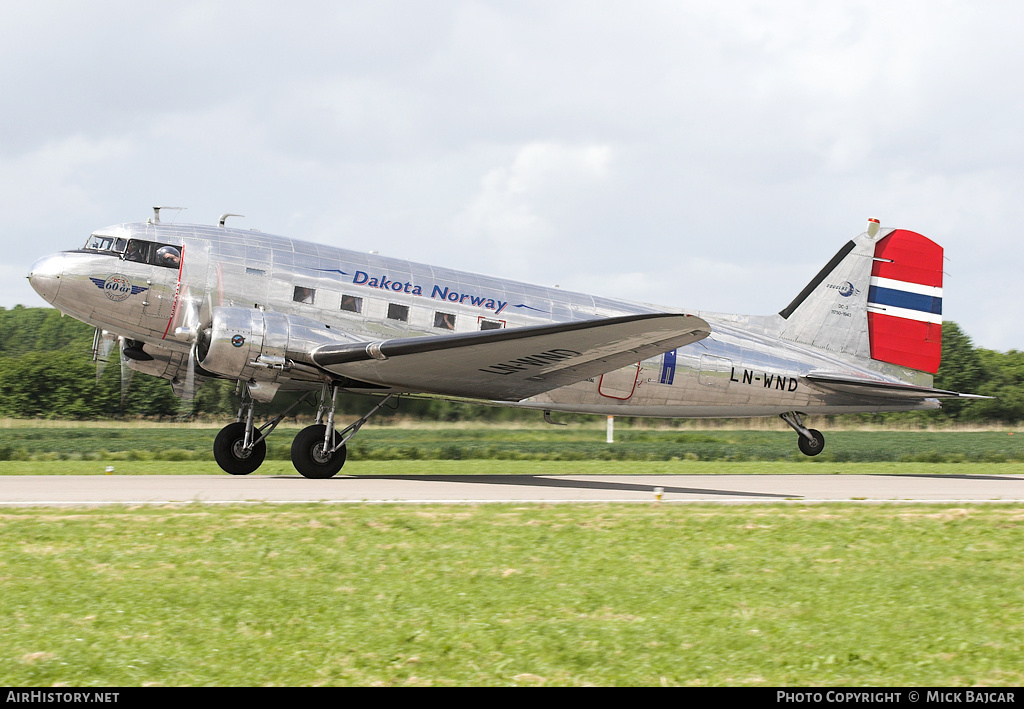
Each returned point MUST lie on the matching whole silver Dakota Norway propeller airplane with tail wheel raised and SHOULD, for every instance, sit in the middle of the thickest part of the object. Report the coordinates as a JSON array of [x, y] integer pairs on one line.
[[190, 303]]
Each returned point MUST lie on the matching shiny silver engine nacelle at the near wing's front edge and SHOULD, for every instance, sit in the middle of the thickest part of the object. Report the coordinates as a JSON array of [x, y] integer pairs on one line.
[[253, 345]]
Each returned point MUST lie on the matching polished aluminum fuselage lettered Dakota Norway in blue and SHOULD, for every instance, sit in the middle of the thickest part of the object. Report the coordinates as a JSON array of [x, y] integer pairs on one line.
[[744, 368]]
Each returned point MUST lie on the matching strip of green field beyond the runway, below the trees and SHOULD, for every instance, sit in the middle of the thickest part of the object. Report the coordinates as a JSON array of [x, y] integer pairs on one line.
[[32, 443]]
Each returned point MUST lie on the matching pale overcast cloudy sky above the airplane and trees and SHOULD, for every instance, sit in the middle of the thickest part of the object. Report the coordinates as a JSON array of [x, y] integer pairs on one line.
[[704, 155]]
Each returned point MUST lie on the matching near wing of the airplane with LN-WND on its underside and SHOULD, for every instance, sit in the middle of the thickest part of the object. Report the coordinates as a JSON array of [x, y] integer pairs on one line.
[[511, 364]]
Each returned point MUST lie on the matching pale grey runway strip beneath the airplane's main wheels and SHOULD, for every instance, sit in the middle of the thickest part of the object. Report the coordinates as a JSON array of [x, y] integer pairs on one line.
[[102, 490]]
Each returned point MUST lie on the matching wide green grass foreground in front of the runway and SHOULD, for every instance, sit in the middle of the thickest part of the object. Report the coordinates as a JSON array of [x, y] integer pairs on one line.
[[836, 595]]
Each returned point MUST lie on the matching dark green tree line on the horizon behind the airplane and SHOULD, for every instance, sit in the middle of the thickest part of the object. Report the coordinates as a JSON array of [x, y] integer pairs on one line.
[[47, 372]]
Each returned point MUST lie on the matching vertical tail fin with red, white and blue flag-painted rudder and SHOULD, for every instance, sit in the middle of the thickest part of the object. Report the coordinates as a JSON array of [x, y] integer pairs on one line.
[[878, 299]]
